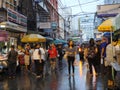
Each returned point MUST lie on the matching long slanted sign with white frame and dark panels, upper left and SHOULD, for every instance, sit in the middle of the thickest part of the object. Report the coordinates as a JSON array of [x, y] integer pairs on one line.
[[16, 17]]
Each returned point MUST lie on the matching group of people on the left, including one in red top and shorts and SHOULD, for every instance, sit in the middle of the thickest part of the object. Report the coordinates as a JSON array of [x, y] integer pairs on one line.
[[33, 56]]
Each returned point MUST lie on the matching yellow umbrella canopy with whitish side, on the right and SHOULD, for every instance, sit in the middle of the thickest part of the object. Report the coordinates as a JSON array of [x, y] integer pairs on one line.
[[107, 26]]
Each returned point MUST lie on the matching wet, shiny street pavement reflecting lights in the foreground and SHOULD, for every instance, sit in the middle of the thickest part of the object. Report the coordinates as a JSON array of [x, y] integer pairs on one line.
[[55, 80]]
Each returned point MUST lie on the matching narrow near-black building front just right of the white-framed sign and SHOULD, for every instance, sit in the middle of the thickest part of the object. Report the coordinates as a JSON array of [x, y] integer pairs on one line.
[[27, 8]]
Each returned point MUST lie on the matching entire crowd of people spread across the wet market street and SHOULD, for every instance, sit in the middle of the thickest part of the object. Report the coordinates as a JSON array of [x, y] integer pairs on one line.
[[98, 54]]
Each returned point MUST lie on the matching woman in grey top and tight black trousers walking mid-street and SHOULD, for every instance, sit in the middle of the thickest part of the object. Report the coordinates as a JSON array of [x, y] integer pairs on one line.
[[71, 53]]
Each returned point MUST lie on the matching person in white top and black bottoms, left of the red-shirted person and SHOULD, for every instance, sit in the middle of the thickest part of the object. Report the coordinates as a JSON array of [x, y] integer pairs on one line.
[[37, 59]]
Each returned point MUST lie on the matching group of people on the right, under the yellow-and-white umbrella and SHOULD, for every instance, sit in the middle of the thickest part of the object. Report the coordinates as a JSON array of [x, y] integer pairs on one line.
[[100, 54]]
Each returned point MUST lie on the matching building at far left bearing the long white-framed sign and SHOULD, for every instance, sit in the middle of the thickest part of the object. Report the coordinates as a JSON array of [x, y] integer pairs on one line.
[[12, 21]]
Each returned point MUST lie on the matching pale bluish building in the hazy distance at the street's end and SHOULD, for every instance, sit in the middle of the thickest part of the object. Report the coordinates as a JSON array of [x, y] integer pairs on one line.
[[87, 26]]
